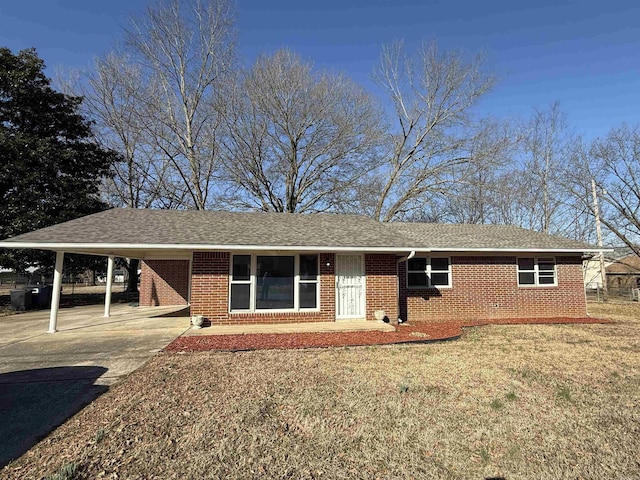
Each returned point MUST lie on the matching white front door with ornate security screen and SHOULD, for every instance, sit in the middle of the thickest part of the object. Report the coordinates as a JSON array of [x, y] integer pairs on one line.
[[350, 286]]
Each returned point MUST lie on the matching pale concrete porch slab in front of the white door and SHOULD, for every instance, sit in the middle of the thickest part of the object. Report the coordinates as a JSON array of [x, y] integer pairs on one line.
[[309, 327]]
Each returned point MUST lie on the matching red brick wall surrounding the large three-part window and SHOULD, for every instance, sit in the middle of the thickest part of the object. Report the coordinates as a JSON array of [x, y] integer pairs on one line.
[[210, 293]]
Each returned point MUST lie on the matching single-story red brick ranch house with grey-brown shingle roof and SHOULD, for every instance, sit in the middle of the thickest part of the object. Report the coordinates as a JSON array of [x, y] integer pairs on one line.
[[274, 268]]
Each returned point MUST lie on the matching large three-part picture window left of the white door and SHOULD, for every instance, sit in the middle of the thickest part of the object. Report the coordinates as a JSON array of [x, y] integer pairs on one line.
[[274, 282]]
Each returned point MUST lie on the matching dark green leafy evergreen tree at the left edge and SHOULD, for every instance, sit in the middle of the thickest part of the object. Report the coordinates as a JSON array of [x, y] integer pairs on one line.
[[50, 169]]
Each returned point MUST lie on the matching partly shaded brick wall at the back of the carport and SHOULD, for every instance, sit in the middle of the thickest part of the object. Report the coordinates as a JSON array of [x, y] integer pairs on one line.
[[164, 282]]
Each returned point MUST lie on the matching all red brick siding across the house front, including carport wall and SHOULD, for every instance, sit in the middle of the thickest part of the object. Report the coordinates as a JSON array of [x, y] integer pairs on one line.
[[483, 287]]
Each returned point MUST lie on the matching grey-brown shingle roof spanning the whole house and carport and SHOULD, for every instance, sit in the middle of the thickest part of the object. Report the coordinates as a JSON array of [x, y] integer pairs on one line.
[[237, 229]]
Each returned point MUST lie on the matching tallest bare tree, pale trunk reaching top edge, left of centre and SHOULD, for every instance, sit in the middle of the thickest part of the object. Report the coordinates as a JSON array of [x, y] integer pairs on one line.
[[184, 52]]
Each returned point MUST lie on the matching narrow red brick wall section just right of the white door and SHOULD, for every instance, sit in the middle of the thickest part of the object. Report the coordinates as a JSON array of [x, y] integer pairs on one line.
[[382, 285]]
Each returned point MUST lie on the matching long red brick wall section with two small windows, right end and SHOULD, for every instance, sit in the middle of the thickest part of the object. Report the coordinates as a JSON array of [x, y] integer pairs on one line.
[[487, 287]]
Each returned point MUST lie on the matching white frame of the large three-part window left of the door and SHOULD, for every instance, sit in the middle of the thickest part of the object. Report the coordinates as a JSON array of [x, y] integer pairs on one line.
[[253, 281]]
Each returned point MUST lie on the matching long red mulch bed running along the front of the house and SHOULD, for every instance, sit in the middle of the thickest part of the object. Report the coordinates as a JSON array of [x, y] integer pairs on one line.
[[419, 332]]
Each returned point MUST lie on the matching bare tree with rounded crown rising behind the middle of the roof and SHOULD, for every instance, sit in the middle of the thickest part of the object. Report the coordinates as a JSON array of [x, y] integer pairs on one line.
[[298, 140]]
